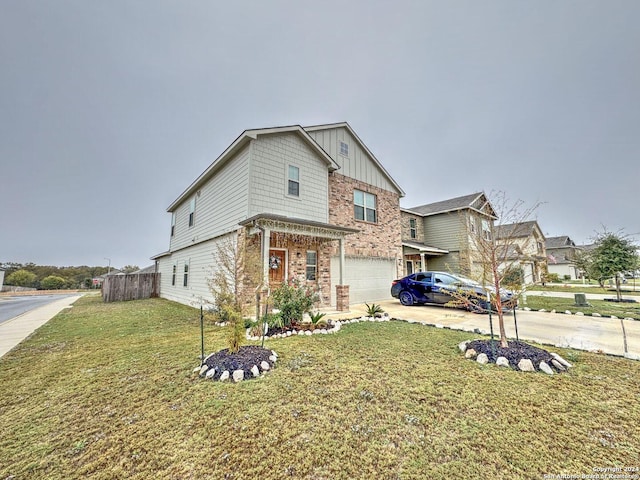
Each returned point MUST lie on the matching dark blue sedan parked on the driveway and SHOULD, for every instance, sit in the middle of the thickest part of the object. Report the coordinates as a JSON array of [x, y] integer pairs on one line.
[[440, 288]]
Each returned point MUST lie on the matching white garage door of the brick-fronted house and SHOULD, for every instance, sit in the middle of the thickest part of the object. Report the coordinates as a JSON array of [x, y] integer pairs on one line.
[[369, 278]]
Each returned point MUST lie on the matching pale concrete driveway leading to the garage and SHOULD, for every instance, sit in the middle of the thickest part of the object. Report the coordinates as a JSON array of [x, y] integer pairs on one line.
[[579, 332]]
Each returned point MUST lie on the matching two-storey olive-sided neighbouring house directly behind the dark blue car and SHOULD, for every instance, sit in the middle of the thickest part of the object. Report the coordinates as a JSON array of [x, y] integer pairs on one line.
[[442, 235]]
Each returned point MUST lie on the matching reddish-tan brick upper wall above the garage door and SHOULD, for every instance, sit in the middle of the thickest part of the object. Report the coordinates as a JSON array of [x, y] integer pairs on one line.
[[381, 239]]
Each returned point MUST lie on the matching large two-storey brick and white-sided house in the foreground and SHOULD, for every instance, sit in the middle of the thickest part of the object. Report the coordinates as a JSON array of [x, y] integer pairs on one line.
[[314, 202]]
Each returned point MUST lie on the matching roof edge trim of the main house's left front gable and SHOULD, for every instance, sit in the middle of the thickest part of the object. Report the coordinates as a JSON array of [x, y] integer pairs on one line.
[[244, 138]]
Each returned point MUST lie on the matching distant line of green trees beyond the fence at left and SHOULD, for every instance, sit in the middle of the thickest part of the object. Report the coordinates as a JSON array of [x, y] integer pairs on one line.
[[47, 277]]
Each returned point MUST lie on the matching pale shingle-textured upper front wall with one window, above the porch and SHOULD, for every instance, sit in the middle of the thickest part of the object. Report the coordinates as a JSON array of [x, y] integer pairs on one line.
[[270, 159]]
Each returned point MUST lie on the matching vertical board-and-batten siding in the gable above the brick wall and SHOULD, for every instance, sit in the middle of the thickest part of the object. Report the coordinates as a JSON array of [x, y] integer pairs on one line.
[[357, 164]]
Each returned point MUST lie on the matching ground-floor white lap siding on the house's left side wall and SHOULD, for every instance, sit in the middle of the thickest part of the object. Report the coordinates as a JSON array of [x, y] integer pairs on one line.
[[201, 261]]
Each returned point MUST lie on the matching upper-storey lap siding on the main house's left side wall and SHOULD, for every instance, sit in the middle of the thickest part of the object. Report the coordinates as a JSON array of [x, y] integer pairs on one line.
[[220, 205]]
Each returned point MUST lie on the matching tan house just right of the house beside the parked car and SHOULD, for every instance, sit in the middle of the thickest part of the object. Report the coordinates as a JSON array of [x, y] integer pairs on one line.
[[524, 246]]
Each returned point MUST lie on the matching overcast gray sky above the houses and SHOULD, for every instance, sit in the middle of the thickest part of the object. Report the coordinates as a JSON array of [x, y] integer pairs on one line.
[[109, 110]]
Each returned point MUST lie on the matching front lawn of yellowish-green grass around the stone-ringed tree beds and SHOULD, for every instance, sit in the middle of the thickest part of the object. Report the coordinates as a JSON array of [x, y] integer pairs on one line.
[[105, 391]]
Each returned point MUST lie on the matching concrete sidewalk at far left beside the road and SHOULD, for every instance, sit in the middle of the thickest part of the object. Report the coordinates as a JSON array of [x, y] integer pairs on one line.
[[14, 331]]
